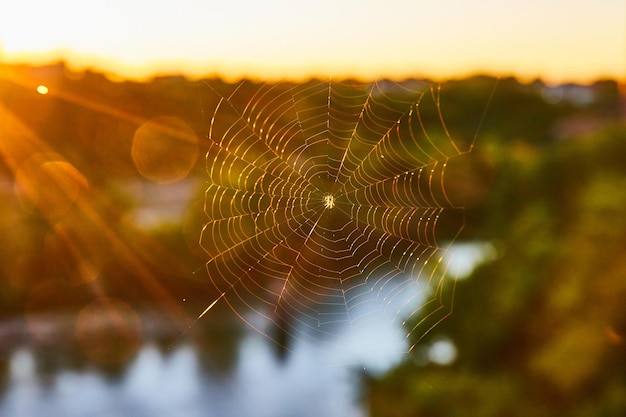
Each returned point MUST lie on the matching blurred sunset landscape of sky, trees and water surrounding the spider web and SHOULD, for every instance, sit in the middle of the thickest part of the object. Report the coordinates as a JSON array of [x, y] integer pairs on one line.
[[102, 277]]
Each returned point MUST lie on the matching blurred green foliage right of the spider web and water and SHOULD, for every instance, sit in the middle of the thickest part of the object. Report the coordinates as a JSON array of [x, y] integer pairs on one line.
[[540, 330]]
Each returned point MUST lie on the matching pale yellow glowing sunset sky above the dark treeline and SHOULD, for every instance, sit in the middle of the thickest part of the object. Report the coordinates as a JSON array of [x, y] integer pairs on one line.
[[558, 40]]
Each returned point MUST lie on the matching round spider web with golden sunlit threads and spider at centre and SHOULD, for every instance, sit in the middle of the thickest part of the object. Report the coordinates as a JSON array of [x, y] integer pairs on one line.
[[325, 204]]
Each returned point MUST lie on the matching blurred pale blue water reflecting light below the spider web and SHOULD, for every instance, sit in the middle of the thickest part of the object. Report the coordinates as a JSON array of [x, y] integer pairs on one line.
[[313, 380]]
